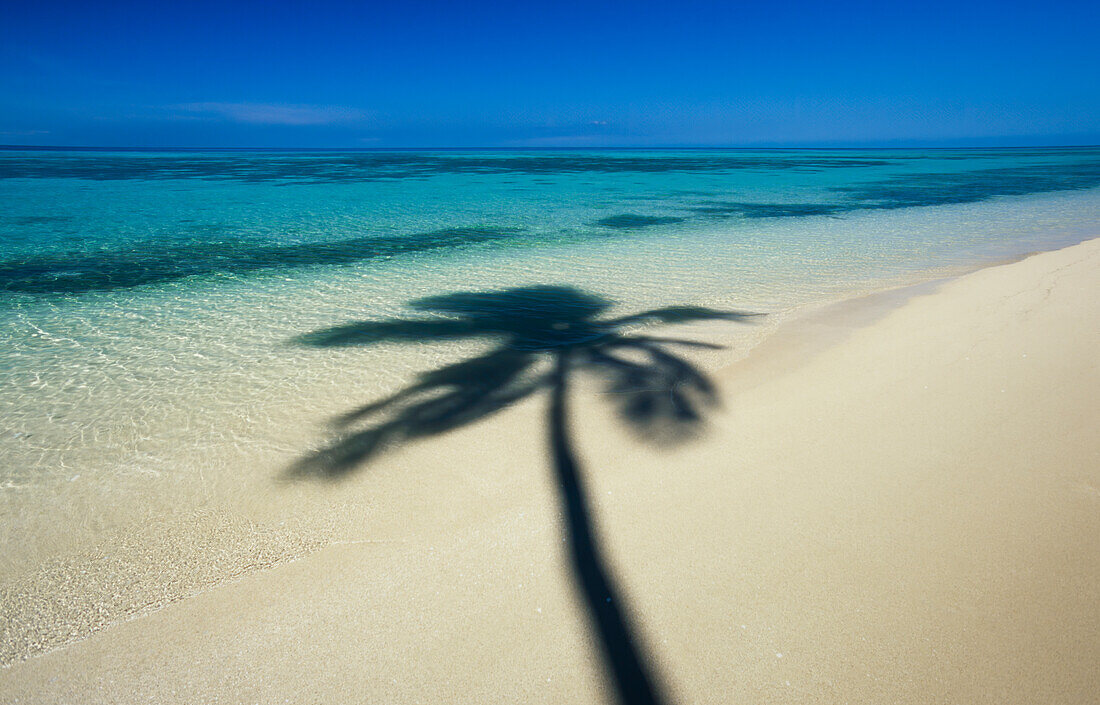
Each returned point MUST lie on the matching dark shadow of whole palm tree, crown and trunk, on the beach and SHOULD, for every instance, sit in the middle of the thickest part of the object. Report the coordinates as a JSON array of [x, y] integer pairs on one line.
[[659, 394]]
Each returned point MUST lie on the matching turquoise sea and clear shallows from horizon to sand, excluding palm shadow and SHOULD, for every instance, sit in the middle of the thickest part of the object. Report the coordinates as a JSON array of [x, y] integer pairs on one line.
[[148, 300]]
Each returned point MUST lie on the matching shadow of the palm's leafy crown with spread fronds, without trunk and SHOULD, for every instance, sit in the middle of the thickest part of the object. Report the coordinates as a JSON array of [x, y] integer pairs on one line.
[[658, 393]]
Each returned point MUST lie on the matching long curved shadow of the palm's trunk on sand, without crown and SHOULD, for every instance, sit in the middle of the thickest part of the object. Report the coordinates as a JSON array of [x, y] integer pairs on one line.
[[634, 685]]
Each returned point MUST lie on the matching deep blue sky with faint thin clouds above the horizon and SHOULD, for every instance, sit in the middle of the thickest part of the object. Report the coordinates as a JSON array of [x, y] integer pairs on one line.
[[551, 75]]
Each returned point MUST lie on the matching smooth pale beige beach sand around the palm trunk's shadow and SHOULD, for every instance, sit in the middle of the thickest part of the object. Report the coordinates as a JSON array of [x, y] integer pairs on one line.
[[899, 503]]
